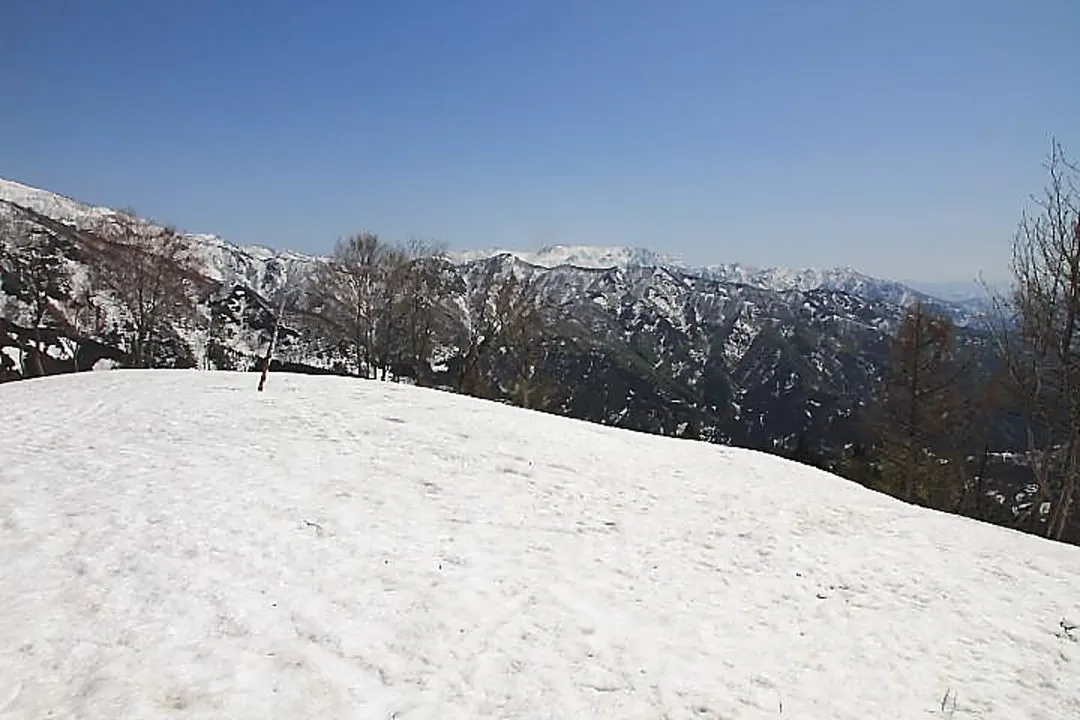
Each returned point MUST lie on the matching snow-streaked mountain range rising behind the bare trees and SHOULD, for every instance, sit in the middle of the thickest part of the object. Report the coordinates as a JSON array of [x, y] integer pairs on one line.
[[758, 358]]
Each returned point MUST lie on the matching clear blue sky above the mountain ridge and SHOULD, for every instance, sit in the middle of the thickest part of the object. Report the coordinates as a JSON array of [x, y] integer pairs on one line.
[[902, 139]]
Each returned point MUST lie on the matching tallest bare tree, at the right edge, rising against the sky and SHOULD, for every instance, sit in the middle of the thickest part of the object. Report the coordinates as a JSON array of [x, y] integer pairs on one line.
[[1044, 355]]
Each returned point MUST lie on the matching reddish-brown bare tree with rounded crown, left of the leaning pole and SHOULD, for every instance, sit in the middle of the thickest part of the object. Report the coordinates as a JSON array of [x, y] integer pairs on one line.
[[150, 271]]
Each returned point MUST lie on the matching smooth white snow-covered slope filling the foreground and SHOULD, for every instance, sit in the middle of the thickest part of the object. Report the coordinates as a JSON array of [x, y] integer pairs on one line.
[[173, 544]]
